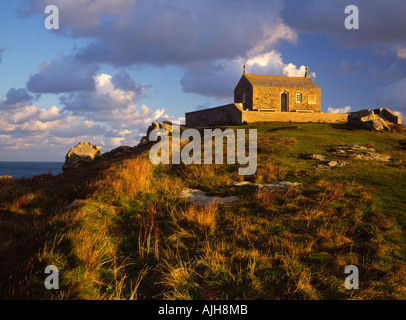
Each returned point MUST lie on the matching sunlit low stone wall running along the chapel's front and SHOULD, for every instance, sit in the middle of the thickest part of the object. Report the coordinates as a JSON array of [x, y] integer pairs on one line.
[[258, 116]]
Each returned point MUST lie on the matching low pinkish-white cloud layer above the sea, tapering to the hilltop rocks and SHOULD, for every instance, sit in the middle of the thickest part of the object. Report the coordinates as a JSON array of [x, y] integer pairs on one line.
[[32, 130]]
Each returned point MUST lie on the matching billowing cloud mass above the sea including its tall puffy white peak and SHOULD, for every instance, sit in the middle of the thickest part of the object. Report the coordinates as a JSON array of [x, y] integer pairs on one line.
[[108, 116]]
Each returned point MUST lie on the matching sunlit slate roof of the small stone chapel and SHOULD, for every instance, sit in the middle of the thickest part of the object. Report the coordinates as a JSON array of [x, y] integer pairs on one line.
[[281, 81]]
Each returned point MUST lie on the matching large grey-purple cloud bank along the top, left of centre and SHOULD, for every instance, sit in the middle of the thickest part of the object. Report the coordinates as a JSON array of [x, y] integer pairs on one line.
[[177, 32]]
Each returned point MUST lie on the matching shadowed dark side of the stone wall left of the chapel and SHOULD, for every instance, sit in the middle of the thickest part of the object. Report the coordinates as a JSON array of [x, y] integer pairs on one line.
[[219, 116]]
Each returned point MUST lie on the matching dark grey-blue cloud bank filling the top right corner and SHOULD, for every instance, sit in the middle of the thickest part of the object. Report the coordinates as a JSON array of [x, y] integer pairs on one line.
[[381, 23]]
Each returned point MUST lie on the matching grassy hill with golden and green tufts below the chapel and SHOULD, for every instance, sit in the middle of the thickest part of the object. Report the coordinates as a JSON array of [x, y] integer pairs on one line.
[[133, 237]]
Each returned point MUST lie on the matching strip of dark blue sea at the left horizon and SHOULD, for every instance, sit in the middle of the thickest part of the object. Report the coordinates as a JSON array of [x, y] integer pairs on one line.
[[28, 169]]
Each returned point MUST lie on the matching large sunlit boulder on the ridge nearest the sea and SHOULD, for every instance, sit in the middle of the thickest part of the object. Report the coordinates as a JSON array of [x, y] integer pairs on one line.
[[82, 153]]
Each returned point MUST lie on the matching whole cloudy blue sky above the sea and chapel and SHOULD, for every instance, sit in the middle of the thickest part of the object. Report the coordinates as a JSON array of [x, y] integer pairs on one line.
[[113, 67]]
